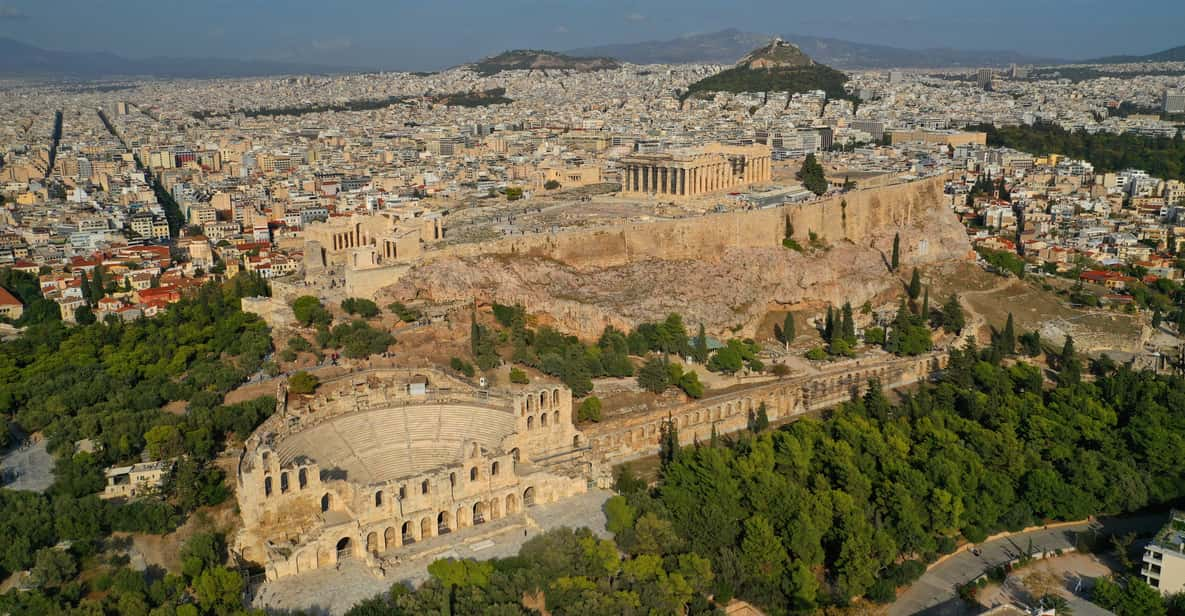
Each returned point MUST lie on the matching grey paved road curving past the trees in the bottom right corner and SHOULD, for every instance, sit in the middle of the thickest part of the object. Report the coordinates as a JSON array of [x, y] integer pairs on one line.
[[936, 593]]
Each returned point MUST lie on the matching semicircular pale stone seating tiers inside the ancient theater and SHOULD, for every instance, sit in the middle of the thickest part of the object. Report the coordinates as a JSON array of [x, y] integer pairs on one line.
[[389, 444]]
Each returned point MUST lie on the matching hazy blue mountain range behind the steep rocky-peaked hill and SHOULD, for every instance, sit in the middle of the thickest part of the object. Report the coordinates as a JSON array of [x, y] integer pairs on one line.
[[727, 47]]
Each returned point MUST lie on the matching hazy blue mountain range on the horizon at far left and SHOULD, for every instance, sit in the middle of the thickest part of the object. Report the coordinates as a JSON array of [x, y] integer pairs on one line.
[[21, 60]]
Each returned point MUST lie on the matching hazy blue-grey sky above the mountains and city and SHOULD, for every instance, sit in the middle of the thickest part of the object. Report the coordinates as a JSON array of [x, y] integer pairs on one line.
[[428, 35]]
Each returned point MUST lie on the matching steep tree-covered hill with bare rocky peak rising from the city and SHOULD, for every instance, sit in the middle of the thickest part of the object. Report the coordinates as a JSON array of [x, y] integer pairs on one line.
[[776, 68]]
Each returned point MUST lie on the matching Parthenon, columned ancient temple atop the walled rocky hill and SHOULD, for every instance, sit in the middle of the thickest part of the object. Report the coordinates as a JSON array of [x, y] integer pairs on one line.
[[695, 172]]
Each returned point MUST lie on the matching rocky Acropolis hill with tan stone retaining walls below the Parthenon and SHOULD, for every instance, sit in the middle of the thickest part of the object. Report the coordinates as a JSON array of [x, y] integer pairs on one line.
[[726, 271]]
